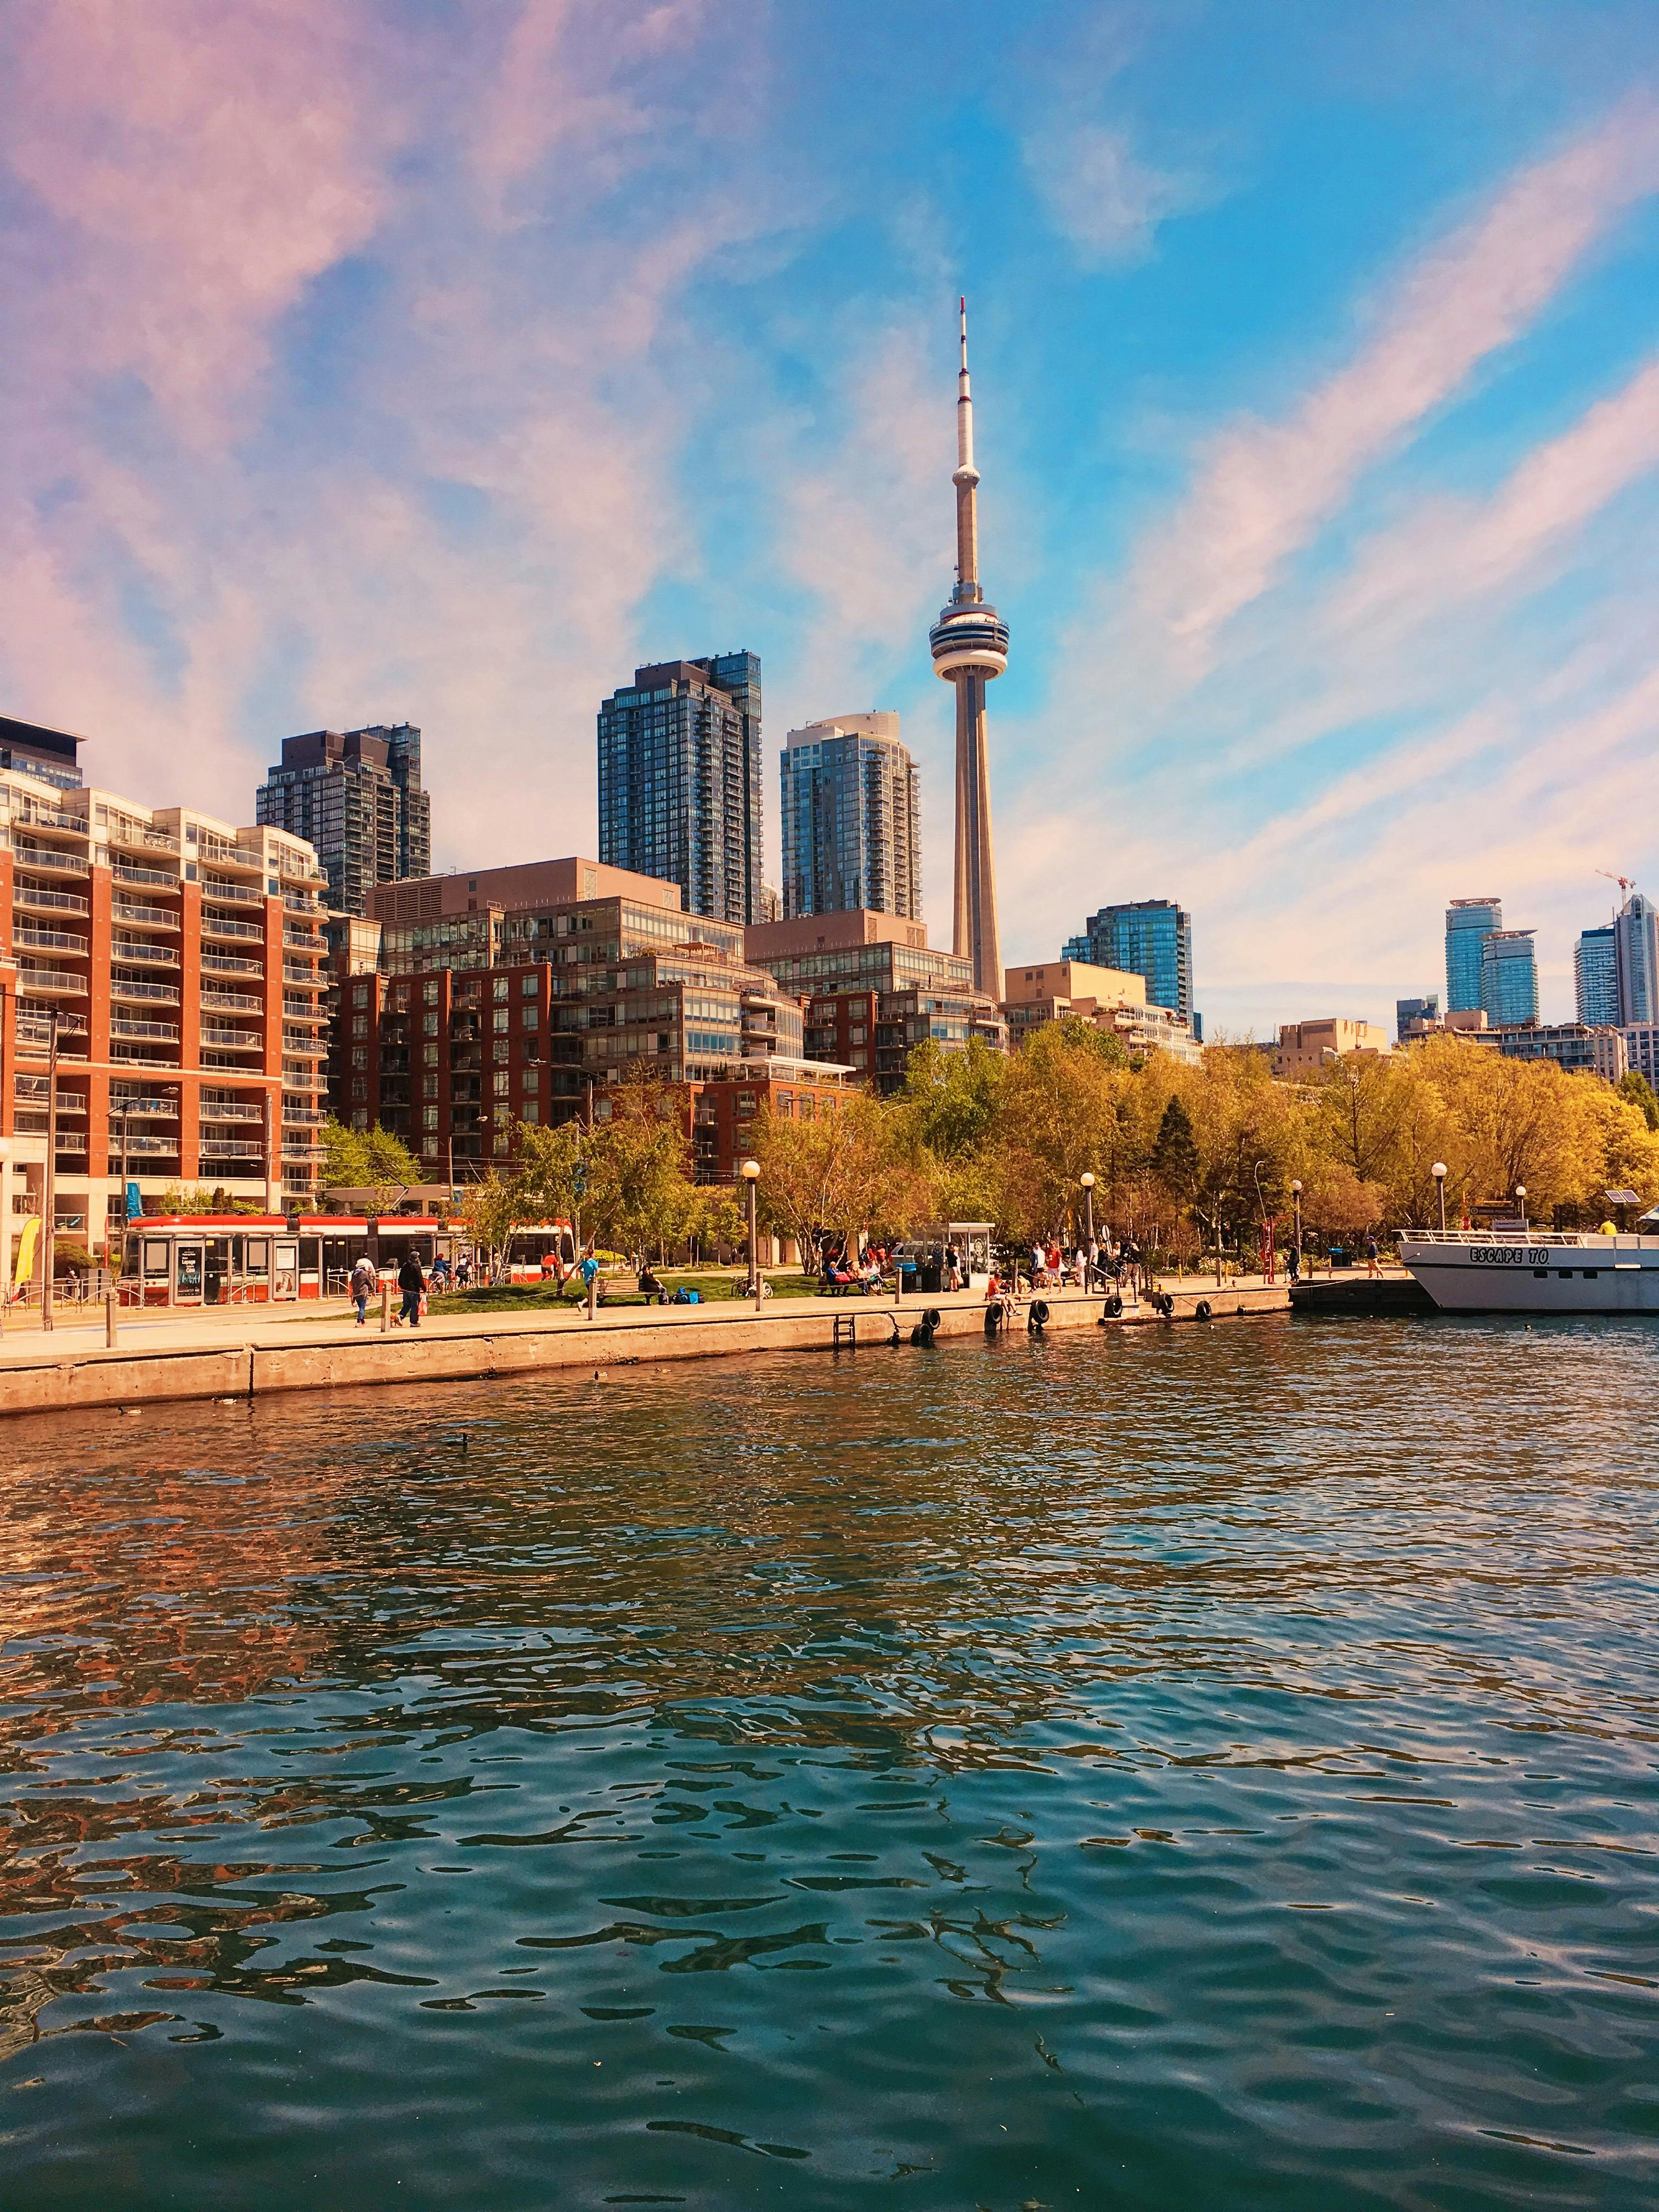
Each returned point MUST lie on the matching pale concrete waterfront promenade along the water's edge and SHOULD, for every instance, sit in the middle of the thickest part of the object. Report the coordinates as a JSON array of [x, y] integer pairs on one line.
[[238, 1353]]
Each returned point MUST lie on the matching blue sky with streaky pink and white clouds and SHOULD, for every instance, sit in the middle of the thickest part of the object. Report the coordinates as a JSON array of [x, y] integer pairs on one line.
[[373, 362]]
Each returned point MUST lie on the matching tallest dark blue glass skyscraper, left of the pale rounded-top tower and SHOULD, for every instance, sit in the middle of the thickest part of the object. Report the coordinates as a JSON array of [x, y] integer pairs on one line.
[[680, 782]]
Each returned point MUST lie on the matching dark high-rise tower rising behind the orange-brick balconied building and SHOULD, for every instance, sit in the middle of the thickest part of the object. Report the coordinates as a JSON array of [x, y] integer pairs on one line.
[[357, 797]]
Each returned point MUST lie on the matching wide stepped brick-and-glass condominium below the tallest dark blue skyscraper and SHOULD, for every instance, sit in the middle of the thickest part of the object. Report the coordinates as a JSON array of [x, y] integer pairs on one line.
[[508, 1014]]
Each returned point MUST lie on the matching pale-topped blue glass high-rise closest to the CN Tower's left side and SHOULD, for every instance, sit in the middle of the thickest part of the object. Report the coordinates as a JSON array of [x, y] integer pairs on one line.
[[851, 820]]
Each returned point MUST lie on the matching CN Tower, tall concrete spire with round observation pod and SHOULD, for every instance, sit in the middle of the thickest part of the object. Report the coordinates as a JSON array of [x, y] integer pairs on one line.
[[972, 647]]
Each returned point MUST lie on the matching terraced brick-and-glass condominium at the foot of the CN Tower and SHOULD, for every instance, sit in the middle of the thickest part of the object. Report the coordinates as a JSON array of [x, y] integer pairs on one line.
[[875, 990]]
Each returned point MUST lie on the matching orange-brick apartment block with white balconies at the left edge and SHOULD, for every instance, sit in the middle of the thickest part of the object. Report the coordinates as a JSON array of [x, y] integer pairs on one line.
[[174, 968]]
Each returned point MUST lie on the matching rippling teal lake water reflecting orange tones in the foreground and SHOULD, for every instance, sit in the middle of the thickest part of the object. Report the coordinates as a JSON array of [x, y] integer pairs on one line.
[[1200, 1768]]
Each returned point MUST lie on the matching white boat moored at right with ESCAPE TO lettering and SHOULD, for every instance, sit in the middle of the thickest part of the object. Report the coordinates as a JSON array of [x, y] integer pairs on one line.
[[1525, 1271]]
